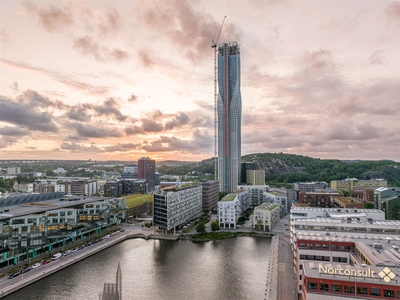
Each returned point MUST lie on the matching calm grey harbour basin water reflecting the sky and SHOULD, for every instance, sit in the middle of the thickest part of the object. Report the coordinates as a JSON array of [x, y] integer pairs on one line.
[[153, 269]]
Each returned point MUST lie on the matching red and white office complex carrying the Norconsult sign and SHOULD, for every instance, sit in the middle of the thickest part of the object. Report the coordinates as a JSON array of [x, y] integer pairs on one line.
[[345, 253]]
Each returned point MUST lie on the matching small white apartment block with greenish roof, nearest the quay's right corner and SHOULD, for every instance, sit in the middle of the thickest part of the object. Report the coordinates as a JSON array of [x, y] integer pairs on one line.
[[266, 216]]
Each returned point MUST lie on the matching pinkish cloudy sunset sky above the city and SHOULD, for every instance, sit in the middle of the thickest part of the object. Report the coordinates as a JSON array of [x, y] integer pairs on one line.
[[127, 79]]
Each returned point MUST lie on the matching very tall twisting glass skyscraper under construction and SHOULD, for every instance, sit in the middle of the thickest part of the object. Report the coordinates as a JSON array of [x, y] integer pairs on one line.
[[229, 116]]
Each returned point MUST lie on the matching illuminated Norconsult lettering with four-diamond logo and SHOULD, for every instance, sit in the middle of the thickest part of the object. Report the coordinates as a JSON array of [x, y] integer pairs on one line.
[[386, 274]]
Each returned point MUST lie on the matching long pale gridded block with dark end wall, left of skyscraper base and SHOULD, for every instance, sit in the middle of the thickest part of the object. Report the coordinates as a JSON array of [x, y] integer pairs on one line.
[[175, 205]]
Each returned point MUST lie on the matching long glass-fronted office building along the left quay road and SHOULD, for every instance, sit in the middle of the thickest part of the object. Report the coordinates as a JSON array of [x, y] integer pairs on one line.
[[37, 229]]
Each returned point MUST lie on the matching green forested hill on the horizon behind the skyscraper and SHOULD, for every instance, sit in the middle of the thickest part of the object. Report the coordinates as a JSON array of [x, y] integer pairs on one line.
[[281, 168]]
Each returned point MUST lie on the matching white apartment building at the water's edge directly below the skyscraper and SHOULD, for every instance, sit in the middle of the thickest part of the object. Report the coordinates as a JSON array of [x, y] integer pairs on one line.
[[231, 207]]
